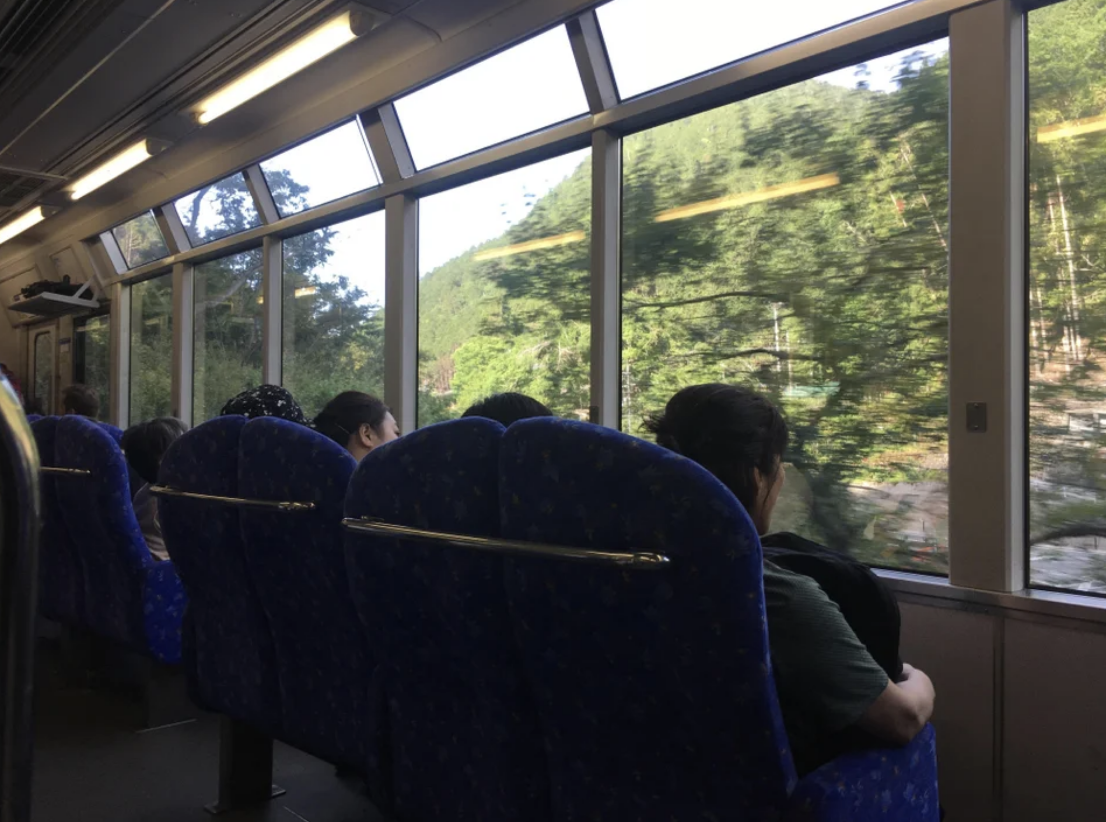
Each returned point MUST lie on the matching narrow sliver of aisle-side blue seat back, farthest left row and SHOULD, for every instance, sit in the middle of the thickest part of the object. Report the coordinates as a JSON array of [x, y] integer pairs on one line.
[[61, 576]]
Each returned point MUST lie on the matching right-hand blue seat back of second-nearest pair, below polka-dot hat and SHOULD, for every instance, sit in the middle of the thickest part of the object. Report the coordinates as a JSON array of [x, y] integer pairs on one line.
[[298, 566]]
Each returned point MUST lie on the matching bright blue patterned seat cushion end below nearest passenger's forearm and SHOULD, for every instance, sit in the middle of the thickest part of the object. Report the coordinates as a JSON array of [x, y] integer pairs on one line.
[[891, 785]]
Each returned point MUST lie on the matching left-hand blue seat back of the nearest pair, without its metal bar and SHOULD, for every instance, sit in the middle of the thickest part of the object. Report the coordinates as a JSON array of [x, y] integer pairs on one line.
[[464, 732]]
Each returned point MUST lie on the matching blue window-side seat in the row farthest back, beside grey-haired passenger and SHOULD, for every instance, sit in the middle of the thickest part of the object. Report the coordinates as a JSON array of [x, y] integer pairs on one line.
[[129, 597]]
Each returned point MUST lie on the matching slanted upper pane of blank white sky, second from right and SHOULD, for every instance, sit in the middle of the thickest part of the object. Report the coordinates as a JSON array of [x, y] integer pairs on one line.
[[521, 90]]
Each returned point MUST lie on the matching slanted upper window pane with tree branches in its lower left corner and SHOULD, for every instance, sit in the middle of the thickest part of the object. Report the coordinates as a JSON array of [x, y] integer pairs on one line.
[[322, 170]]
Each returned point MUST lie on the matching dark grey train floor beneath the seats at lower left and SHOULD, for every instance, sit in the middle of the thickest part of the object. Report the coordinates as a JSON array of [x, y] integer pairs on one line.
[[95, 764]]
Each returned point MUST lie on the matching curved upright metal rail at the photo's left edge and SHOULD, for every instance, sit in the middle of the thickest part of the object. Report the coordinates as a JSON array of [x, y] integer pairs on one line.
[[20, 509]]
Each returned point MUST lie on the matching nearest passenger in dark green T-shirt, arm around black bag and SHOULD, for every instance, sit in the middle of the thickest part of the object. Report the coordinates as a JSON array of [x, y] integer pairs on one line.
[[833, 694]]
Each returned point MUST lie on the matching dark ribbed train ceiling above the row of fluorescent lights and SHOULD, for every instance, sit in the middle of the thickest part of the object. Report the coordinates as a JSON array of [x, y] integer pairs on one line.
[[81, 78]]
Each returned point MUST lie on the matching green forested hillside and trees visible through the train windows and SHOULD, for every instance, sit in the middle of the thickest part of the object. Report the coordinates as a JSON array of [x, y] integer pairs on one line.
[[797, 243]]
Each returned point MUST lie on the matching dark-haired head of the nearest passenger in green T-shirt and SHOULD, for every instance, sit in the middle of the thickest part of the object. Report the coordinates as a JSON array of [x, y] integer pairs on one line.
[[734, 433]]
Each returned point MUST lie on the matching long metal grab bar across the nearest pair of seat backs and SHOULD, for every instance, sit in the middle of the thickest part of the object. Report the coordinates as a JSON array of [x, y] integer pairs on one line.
[[638, 560]]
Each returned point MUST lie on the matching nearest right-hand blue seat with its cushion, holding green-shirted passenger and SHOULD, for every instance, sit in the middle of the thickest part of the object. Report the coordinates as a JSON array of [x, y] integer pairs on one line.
[[655, 688]]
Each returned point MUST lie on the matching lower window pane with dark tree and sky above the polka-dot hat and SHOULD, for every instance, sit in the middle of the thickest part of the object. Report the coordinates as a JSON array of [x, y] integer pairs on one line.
[[333, 311]]
